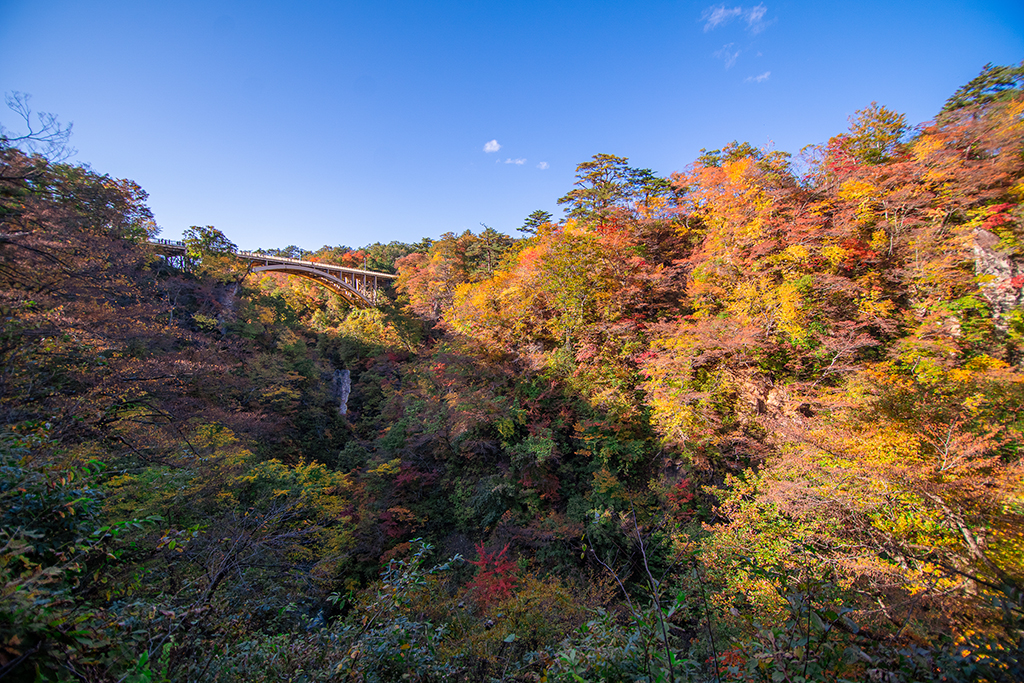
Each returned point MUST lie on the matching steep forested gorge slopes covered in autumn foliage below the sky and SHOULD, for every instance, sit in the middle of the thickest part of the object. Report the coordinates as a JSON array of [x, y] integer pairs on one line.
[[759, 420]]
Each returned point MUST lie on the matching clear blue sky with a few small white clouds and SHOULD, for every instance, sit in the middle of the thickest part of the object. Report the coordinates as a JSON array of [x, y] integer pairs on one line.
[[348, 123]]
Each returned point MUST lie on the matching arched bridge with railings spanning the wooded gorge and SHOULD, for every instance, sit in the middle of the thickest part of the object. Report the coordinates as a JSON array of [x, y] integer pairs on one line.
[[358, 287]]
